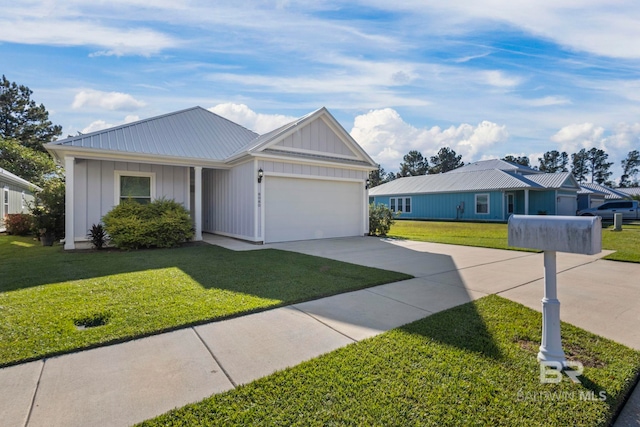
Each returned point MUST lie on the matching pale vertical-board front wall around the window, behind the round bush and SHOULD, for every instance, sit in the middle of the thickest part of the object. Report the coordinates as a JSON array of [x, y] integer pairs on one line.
[[94, 189]]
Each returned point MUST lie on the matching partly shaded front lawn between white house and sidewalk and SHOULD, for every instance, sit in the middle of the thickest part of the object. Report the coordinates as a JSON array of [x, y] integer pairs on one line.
[[46, 292]]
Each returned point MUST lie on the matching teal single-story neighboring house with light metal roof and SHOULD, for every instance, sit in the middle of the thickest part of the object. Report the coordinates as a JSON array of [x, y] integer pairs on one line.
[[489, 190]]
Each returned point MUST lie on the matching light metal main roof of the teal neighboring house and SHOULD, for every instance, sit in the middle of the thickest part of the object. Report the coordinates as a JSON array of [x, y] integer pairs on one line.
[[482, 180]]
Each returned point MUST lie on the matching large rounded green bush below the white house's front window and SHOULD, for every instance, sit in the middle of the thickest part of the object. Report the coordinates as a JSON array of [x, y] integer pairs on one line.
[[162, 223]]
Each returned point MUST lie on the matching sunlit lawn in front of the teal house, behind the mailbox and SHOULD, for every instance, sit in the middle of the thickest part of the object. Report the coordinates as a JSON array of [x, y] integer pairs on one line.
[[489, 235]]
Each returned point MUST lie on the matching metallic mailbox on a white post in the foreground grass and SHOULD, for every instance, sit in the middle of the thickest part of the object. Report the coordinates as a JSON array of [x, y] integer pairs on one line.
[[551, 234]]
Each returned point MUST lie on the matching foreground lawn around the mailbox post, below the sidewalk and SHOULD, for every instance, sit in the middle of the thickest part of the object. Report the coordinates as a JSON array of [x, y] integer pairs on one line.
[[471, 365]]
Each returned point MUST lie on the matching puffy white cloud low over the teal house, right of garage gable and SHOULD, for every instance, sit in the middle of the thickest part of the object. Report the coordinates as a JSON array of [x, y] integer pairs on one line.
[[387, 137]]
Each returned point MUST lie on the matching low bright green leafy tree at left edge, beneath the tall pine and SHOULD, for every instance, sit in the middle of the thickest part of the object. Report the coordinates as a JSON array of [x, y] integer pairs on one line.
[[29, 164]]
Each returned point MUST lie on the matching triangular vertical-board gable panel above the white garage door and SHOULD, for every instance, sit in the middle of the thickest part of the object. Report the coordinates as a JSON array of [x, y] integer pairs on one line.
[[316, 136]]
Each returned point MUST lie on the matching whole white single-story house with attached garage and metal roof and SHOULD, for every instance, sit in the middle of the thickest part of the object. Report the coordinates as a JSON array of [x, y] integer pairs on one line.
[[304, 180]]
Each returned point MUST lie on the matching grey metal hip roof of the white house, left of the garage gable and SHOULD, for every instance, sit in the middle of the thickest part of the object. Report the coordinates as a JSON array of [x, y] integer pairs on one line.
[[193, 133]]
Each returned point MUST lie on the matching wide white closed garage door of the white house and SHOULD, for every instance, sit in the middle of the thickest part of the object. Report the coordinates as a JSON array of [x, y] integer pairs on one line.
[[302, 209]]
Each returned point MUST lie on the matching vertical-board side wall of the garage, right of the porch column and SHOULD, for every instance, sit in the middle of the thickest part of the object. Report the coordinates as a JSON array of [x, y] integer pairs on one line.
[[228, 201]]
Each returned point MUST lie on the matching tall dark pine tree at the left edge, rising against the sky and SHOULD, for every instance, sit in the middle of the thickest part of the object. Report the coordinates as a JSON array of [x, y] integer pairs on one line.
[[22, 119]]
